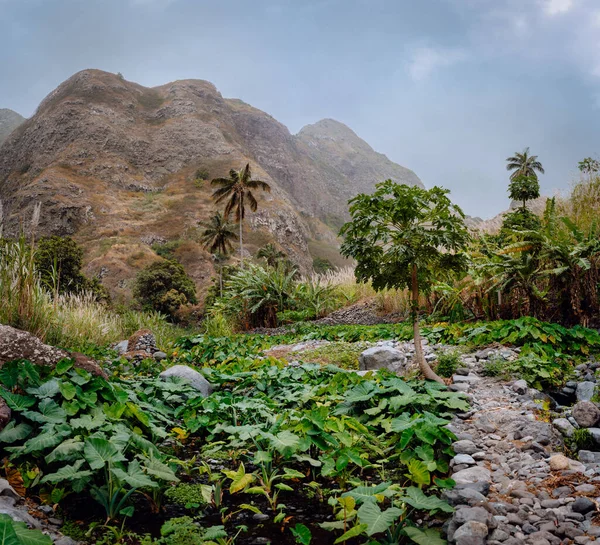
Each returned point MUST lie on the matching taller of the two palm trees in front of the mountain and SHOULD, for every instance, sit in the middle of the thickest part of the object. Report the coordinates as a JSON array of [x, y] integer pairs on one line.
[[237, 190]]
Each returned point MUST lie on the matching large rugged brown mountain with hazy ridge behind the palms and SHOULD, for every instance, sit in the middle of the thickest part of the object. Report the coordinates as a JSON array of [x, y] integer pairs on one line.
[[115, 164]]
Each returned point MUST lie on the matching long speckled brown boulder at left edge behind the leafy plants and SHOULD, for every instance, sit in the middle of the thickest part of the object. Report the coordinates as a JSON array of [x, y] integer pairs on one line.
[[16, 345]]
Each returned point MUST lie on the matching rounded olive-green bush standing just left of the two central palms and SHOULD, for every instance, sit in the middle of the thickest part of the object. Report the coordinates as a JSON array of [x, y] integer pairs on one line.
[[164, 286]]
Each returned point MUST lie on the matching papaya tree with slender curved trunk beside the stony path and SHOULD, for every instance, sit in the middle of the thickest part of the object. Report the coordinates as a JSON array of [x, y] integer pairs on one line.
[[406, 237]]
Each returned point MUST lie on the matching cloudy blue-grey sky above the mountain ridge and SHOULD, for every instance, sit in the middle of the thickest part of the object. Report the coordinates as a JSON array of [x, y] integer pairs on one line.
[[448, 88]]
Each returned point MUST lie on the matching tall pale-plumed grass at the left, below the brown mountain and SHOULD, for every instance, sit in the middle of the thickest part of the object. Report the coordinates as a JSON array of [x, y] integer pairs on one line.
[[70, 321]]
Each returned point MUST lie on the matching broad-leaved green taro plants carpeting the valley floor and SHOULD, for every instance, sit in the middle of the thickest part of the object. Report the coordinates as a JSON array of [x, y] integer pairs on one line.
[[309, 453]]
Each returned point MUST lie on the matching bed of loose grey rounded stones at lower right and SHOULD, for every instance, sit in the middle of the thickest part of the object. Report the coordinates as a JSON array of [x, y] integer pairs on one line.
[[514, 486]]
